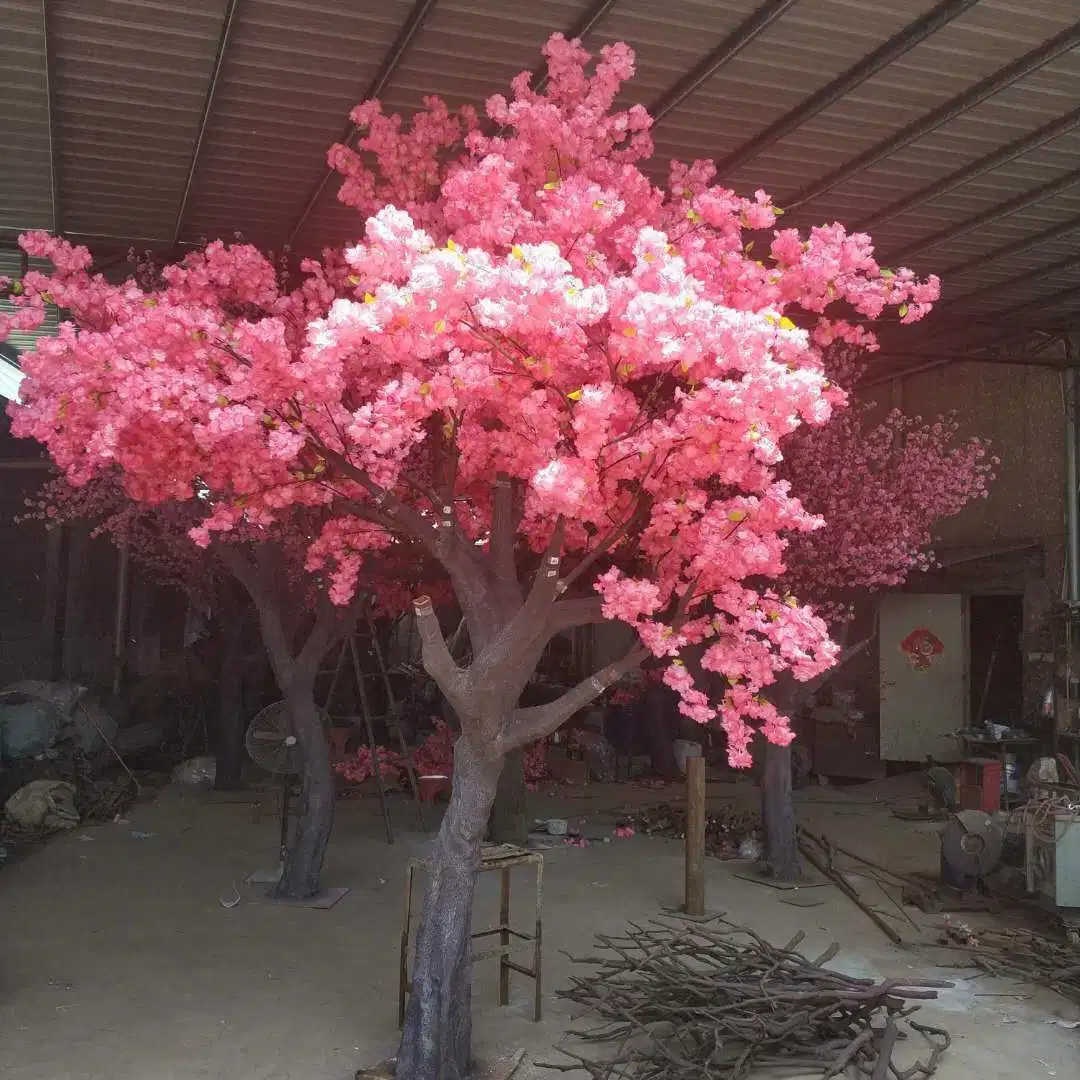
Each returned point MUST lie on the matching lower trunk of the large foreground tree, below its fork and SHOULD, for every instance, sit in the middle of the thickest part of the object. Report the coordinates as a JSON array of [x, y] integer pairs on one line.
[[438, 1035]]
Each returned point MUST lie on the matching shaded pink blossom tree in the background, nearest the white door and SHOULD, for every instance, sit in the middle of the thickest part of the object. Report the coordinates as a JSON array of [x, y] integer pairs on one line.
[[881, 487]]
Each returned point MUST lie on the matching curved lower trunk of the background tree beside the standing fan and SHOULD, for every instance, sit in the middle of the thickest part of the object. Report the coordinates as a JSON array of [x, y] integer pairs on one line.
[[307, 848]]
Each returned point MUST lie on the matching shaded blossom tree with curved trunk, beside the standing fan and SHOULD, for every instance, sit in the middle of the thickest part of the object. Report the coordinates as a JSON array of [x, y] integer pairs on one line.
[[299, 625]]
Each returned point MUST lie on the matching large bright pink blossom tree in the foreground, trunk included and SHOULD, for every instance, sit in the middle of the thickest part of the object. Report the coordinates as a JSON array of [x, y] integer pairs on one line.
[[565, 385]]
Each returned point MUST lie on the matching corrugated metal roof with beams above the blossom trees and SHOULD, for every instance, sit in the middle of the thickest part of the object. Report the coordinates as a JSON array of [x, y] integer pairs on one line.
[[185, 120]]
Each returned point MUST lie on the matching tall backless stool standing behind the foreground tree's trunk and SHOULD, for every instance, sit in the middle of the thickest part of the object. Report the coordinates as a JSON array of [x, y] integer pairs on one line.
[[503, 858]]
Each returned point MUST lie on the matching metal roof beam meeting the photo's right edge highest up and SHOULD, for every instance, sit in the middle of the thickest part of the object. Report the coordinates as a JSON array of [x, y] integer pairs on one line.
[[951, 111]]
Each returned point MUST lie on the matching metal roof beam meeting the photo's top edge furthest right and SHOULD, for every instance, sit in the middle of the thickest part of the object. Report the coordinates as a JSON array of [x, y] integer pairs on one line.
[[845, 83]]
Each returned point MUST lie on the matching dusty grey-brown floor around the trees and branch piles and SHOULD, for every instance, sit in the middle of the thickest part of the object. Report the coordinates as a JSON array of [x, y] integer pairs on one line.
[[119, 961]]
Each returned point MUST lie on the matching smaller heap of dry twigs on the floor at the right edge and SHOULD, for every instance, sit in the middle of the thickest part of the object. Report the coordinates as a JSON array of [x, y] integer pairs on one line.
[[1024, 955]]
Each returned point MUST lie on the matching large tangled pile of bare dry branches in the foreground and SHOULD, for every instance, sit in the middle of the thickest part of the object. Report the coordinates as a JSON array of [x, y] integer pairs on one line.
[[715, 1002]]
